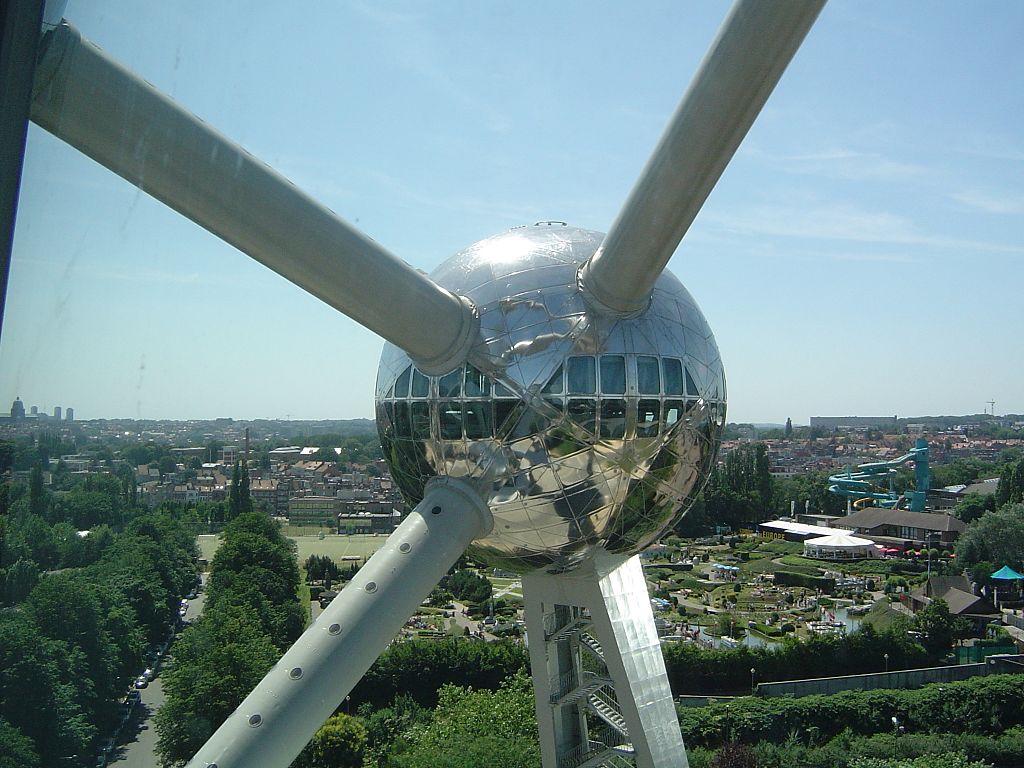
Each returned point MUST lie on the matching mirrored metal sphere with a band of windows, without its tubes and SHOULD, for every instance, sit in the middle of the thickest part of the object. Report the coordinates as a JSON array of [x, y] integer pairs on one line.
[[587, 432]]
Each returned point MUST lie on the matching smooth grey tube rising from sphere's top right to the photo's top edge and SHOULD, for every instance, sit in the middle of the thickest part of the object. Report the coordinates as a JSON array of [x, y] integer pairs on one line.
[[739, 73]]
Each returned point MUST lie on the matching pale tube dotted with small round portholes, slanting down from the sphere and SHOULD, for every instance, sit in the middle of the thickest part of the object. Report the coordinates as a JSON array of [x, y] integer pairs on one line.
[[275, 722]]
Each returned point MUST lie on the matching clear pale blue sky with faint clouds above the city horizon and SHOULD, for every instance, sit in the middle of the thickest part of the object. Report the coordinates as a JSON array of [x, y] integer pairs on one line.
[[863, 253]]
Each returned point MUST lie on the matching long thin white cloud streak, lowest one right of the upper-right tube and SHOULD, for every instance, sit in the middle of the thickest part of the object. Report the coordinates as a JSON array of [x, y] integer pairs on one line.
[[845, 223]]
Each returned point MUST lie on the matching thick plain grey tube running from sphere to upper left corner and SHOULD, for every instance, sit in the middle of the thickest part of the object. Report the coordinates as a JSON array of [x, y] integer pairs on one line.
[[90, 101]]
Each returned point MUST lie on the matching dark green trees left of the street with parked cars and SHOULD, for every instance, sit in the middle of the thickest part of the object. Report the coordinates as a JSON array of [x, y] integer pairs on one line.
[[75, 641]]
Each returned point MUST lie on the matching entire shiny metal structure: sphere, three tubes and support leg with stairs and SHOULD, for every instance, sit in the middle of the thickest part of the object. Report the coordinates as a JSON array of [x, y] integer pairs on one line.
[[558, 413]]
